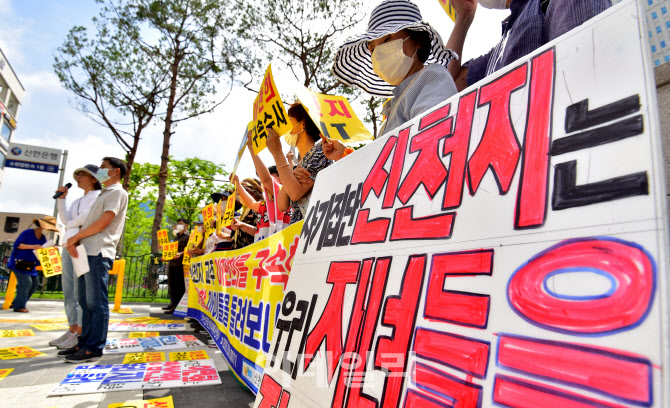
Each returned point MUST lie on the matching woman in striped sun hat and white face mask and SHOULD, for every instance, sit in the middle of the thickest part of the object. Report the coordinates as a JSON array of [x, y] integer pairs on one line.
[[401, 56]]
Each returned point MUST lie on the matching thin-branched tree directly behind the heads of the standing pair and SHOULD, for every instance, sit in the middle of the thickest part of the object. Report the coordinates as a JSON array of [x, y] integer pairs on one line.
[[114, 85]]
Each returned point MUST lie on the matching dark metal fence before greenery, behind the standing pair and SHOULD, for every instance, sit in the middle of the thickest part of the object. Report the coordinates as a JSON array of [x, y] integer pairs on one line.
[[145, 277]]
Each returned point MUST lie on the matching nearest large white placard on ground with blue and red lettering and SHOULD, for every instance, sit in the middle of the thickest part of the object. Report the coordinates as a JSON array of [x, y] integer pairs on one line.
[[86, 379]]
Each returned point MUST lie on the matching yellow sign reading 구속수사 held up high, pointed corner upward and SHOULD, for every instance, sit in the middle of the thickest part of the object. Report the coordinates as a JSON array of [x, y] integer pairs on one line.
[[269, 111]]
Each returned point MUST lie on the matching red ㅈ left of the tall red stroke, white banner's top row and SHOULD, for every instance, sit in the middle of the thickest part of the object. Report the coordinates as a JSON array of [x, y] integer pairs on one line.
[[499, 147]]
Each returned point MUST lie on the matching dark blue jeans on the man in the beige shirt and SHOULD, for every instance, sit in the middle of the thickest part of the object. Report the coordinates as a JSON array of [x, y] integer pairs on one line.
[[94, 303]]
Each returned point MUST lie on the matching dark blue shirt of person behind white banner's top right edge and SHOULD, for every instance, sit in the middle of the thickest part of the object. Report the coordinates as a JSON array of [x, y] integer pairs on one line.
[[528, 28]]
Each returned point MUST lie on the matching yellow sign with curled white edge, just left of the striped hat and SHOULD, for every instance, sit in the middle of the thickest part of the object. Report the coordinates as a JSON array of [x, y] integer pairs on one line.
[[334, 116]]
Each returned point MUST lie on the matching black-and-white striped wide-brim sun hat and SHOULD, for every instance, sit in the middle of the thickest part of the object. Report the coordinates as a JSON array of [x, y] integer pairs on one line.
[[353, 61]]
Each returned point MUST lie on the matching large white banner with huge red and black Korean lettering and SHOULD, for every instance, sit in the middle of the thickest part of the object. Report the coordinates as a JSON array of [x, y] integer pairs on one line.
[[506, 248]]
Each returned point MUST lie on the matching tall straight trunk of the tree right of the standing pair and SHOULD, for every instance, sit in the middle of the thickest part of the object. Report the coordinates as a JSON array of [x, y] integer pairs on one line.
[[165, 155]]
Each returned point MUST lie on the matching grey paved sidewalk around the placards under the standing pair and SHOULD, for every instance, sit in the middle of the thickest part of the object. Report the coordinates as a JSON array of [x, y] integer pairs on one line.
[[33, 378]]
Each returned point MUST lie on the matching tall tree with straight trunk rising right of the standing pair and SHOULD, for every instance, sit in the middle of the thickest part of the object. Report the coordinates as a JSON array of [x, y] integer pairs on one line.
[[189, 41]]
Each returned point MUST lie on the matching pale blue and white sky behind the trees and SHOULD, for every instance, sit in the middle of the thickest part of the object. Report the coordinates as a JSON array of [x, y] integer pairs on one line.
[[30, 32]]
